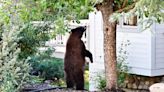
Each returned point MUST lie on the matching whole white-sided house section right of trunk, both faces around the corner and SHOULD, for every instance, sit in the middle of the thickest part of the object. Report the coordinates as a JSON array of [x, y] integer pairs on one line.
[[146, 49]]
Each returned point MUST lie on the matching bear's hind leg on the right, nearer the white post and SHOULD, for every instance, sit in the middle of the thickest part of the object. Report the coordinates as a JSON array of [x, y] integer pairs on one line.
[[79, 80]]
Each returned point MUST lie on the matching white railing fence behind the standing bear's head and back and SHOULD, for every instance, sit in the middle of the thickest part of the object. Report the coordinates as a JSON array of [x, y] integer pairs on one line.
[[59, 42]]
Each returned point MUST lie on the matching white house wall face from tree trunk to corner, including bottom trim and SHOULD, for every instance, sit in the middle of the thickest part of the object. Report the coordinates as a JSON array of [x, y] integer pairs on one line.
[[139, 58]]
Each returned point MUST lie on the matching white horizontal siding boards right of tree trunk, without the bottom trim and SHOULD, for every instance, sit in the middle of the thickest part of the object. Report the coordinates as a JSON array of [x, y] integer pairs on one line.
[[139, 50]]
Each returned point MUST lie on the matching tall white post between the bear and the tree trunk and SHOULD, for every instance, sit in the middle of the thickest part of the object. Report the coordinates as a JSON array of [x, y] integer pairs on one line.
[[96, 47]]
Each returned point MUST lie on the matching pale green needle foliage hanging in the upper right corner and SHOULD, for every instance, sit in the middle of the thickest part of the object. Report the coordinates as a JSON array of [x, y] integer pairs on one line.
[[148, 11]]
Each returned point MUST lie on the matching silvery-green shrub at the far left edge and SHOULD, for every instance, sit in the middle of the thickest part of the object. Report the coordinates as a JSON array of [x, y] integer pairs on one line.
[[13, 72]]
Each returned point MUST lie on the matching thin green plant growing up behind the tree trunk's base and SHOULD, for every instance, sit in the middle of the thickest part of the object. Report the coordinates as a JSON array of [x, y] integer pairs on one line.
[[122, 67]]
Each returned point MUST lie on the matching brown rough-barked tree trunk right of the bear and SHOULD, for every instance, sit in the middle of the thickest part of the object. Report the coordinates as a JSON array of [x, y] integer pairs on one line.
[[109, 30]]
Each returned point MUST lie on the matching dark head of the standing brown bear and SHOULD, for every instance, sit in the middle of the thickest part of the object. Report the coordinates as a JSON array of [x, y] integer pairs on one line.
[[79, 31]]
